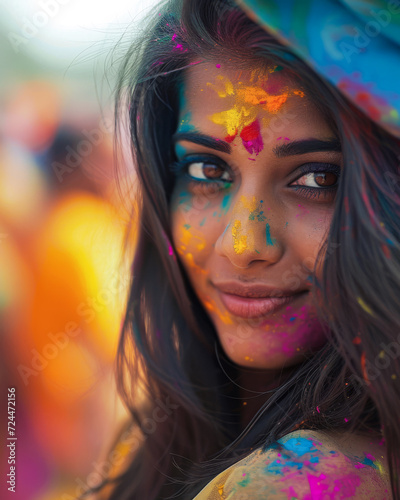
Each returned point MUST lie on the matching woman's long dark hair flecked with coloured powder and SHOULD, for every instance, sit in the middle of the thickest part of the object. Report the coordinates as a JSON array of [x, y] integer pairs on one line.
[[168, 347]]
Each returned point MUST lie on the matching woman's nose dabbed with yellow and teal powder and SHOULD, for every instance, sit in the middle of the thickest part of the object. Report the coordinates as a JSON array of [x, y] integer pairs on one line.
[[251, 234]]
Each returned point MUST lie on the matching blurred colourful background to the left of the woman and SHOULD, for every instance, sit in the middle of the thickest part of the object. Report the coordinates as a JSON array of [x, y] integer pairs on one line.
[[63, 276]]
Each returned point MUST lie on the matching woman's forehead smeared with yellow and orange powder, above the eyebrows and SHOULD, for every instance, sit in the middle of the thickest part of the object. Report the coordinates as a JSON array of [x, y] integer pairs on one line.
[[217, 94]]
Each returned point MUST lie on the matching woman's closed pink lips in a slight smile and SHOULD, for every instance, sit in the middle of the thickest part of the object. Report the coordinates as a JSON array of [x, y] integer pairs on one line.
[[254, 301]]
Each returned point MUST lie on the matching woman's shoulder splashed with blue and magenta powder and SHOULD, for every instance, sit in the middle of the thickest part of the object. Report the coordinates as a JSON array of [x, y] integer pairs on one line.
[[306, 465]]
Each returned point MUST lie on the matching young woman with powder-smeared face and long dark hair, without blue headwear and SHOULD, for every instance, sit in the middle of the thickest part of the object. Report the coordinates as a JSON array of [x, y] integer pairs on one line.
[[263, 319]]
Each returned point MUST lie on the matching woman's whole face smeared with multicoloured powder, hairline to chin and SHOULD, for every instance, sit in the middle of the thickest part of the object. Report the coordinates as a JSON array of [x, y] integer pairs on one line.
[[257, 174]]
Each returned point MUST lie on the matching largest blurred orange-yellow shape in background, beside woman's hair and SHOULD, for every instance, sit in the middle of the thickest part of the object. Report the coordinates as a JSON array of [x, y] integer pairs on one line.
[[67, 339]]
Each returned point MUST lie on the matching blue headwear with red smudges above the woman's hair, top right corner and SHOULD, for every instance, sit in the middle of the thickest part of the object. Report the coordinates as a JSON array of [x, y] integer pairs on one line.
[[354, 44]]
